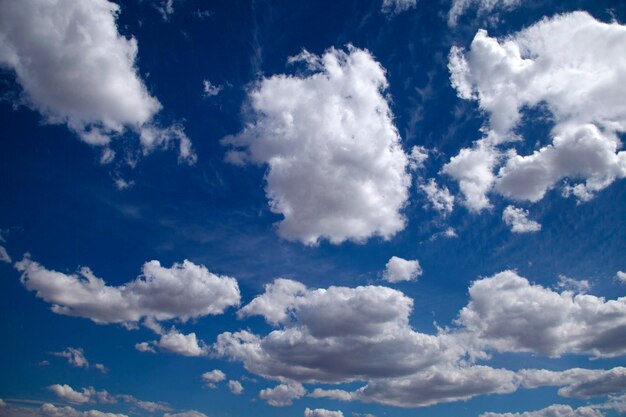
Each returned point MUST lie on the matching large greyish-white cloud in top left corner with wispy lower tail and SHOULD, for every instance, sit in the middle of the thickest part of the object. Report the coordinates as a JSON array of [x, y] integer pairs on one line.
[[75, 68]]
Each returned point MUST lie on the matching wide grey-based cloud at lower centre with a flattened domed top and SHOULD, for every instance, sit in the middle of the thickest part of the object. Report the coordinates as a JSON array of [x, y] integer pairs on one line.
[[372, 338]]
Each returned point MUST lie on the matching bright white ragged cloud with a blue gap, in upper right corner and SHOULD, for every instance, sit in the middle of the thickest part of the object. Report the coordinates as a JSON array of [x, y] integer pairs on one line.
[[581, 88]]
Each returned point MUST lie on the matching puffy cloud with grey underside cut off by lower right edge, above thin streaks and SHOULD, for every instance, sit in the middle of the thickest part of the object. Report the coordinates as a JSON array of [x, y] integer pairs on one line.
[[509, 314]]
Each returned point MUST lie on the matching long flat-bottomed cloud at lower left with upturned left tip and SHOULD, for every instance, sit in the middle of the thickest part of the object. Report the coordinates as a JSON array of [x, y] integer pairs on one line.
[[183, 291]]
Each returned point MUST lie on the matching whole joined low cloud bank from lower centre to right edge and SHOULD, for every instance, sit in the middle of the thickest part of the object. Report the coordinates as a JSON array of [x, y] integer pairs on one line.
[[505, 313]]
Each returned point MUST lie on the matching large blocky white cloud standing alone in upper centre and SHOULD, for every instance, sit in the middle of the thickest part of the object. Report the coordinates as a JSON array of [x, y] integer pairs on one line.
[[336, 168]]
